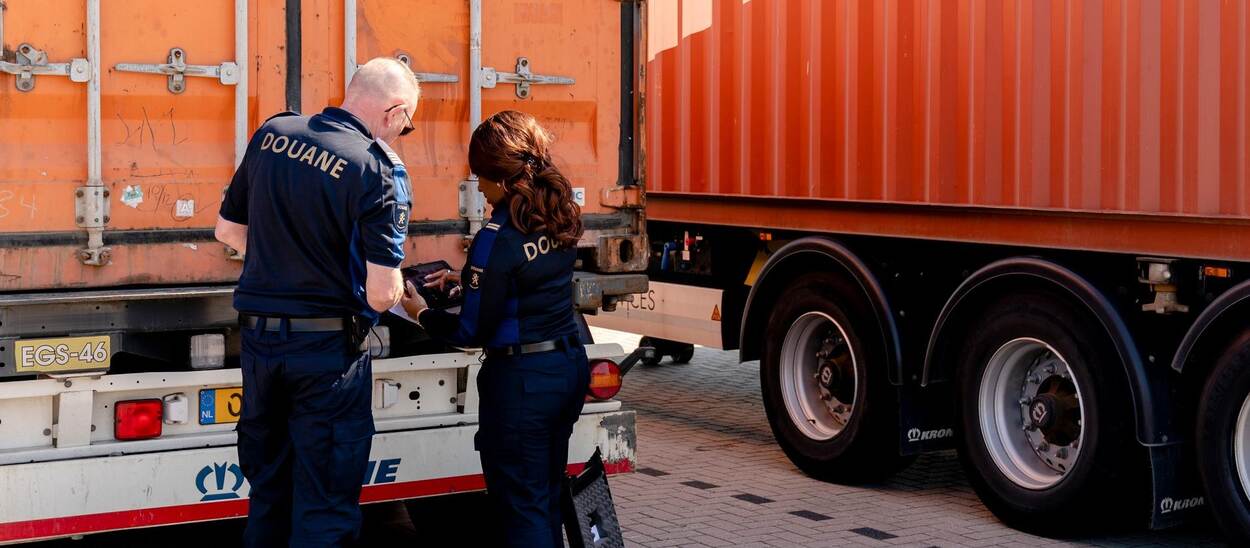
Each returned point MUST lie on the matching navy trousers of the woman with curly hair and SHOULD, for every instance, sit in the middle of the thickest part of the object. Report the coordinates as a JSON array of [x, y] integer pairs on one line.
[[529, 405]]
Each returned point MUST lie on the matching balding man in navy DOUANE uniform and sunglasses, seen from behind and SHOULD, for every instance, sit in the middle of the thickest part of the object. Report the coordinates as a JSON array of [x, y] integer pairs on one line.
[[321, 208]]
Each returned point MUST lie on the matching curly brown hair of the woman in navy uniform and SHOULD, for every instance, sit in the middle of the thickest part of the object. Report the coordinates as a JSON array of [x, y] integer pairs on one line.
[[513, 150]]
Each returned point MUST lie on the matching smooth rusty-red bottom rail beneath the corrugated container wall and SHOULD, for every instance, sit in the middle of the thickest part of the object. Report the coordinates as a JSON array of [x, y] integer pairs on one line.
[[1167, 236]]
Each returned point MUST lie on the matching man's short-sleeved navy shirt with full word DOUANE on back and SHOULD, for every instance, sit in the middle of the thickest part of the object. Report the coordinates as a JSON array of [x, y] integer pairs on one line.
[[321, 197]]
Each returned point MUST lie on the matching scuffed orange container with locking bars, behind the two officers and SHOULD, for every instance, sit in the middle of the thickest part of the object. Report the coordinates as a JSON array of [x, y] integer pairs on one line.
[[122, 187]]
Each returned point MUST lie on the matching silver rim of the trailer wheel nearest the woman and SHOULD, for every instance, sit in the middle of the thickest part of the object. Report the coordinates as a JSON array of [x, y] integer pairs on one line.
[[819, 376]]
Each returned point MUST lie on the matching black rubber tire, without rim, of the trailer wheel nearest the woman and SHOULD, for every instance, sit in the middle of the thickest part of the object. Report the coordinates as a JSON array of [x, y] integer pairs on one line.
[[867, 450]]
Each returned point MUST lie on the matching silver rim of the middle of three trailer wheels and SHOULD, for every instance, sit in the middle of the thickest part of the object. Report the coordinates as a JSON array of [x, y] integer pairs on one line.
[[1032, 414]]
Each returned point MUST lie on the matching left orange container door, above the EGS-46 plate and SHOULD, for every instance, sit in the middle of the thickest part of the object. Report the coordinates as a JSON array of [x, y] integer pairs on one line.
[[168, 74]]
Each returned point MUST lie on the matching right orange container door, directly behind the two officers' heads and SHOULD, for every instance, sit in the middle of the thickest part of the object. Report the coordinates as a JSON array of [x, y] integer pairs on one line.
[[558, 61]]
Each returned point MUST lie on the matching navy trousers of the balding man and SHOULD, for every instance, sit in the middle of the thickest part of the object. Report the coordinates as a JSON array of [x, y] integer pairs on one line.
[[304, 437]]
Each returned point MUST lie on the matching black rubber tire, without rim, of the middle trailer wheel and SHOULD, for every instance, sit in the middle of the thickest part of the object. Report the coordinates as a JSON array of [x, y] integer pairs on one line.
[[1106, 487]]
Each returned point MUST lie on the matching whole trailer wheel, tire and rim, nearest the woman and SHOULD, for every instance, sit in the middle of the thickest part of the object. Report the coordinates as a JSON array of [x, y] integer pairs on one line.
[[826, 390]]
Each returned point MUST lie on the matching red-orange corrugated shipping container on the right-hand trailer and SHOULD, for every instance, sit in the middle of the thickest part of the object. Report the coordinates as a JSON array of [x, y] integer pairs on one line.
[[1111, 108]]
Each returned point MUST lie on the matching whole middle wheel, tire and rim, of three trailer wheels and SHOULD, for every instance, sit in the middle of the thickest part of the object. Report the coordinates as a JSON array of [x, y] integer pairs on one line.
[[1048, 434]]
